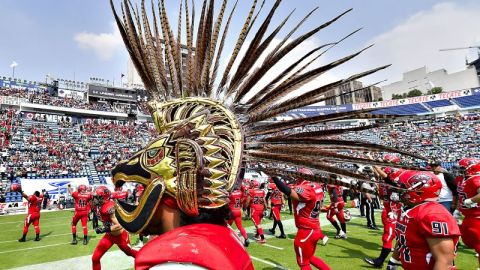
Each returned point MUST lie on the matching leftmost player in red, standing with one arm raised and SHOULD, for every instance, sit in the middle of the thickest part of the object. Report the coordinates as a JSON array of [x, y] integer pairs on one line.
[[33, 217]]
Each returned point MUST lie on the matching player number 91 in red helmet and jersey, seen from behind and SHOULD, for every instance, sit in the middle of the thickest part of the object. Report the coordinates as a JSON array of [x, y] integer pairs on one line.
[[427, 233]]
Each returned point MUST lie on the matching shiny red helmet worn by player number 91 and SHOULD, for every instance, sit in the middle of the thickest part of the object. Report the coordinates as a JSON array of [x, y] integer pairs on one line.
[[420, 186]]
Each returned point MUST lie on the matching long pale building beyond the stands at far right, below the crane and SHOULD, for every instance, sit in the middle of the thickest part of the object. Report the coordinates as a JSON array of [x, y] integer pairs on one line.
[[424, 81]]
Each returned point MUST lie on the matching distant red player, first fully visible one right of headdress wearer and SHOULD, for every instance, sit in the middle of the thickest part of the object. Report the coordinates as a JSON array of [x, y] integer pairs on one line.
[[257, 204]]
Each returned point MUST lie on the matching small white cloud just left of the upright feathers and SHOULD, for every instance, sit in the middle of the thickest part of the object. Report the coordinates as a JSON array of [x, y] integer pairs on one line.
[[105, 45]]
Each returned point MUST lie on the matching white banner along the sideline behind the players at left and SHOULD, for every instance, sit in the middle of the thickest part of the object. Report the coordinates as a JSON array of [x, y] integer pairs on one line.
[[55, 187]]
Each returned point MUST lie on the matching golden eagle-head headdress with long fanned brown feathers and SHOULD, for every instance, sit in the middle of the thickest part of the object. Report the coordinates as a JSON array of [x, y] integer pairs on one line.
[[212, 121]]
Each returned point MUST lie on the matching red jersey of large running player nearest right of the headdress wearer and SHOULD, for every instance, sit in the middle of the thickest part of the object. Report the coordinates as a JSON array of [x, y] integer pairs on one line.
[[308, 209]]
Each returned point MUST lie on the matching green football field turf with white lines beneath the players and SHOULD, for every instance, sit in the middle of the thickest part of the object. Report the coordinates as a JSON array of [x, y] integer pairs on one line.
[[55, 252]]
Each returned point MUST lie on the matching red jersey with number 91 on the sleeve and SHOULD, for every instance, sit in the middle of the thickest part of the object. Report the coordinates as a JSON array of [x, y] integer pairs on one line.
[[427, 220]]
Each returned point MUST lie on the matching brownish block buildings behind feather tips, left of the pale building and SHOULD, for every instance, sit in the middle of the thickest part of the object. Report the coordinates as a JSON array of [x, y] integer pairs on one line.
[[368, 94]]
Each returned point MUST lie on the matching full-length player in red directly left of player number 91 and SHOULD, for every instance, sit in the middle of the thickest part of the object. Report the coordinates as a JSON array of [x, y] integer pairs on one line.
[[390, 213]]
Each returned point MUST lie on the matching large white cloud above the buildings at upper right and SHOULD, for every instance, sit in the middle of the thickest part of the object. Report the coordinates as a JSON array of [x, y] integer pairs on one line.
[[416, 42]]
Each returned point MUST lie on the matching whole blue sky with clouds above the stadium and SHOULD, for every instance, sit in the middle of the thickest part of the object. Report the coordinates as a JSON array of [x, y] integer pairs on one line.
[[64, 38]]
